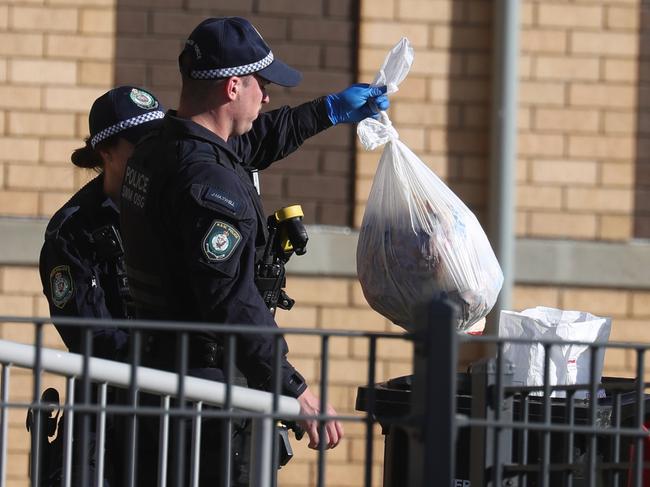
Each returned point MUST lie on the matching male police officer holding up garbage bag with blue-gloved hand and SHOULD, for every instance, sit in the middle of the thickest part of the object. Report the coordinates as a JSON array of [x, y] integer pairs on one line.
[[192, 220]]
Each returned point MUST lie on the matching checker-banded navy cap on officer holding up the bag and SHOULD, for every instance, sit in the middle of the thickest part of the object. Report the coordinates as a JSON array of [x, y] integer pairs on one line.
[[232, 46]]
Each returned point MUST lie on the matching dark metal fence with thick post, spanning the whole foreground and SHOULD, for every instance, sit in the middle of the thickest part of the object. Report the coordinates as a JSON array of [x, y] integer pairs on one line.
[[461, 428]]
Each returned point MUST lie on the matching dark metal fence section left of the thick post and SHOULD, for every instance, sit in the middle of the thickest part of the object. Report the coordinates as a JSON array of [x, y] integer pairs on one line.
[[101, 394]]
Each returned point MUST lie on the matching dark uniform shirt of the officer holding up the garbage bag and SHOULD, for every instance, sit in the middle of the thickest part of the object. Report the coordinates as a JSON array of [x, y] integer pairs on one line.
[[193, 222]]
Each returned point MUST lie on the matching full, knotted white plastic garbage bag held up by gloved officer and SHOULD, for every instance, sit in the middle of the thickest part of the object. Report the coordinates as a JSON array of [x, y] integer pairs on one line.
[[417, 238]]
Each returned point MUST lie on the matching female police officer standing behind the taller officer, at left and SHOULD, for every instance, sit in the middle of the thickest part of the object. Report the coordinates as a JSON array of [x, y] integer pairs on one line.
[[81, 263]]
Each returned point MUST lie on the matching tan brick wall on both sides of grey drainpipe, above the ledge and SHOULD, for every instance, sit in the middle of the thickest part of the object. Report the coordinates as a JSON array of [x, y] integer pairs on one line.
[[582, 170]]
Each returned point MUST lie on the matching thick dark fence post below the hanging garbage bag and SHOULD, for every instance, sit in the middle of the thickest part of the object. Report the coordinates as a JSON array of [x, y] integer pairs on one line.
[[433, 441]]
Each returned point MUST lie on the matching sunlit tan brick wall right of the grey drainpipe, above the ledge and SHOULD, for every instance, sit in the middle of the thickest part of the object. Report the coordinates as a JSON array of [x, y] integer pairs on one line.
[[578, 119]]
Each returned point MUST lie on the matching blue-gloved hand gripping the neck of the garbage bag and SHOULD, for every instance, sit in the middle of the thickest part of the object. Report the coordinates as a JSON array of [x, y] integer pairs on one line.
[[356, 103]]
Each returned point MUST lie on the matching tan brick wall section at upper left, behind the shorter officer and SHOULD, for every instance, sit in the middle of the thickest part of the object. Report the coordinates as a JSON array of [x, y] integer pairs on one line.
[[55, 59]]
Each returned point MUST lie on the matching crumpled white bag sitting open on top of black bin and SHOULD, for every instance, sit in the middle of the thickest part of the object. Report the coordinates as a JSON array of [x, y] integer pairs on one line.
[[569, 364]]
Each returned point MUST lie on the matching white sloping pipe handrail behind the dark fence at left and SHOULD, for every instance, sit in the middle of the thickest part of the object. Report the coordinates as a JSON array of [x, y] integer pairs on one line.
[[149, 380]]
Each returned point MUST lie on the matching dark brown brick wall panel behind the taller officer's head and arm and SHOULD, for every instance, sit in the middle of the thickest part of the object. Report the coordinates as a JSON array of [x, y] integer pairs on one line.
[[317, 37]]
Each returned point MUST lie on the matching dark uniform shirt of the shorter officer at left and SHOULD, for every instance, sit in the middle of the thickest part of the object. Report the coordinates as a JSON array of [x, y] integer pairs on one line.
[[78, 278]]
